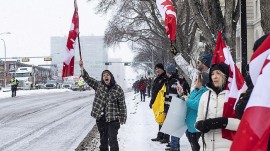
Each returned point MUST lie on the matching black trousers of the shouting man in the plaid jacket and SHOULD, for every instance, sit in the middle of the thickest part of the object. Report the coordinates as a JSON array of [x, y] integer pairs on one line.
[[108, 135]]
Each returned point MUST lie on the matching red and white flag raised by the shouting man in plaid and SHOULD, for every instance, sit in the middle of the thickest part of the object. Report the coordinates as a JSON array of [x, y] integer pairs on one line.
[[68, 64]]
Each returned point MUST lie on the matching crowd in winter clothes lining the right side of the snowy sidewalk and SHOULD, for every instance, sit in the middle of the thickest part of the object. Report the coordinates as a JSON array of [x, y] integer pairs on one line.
[[205, 101]]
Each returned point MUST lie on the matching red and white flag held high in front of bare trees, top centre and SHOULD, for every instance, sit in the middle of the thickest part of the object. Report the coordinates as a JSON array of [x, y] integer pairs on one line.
[[168, 14]]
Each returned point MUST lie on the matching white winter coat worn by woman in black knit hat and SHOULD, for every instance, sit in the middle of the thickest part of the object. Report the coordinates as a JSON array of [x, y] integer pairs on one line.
[[213, 139]]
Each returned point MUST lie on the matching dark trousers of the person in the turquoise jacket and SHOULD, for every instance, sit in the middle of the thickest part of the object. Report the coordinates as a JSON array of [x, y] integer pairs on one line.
[[193, 139]]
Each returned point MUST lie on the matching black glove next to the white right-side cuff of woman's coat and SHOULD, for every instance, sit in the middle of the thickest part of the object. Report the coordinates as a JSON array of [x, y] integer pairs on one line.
[[216, 123]]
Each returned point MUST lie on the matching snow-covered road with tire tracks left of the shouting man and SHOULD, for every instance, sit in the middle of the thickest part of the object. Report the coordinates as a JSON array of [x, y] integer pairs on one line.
[[45, 121]]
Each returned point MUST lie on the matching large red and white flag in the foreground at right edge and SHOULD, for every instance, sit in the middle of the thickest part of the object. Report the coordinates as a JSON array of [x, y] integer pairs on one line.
[[254, 130]]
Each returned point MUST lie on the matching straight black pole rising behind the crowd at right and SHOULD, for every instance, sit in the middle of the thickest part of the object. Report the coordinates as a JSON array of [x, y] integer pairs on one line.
[[243, 36]]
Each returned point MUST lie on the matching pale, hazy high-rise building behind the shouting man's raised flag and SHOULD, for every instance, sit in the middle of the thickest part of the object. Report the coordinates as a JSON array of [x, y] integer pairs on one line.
[[94, 55]]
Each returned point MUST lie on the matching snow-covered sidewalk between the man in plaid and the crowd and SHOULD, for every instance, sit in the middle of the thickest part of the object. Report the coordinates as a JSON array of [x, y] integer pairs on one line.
[[141, 127]]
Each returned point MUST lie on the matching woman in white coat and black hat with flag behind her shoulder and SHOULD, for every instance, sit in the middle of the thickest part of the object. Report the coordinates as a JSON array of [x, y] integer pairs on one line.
[[218, 118]]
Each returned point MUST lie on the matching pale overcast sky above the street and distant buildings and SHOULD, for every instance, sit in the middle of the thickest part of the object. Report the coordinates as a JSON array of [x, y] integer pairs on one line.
[[32, 23]]
